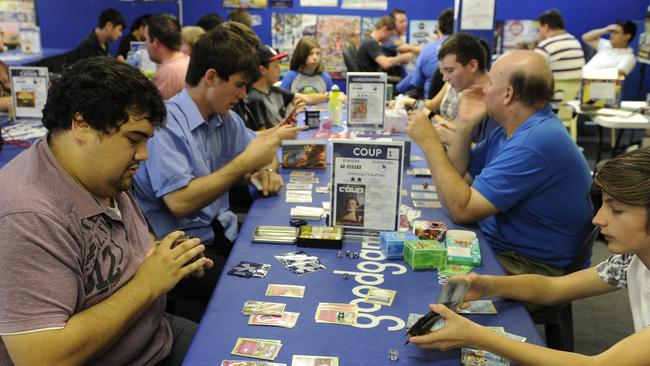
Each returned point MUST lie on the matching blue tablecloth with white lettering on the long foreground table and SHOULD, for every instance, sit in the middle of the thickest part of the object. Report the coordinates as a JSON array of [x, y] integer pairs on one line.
[[382, 328]]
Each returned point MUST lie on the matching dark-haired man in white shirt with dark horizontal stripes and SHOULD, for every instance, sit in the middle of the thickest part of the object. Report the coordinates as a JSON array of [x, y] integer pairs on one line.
[[562, 50]]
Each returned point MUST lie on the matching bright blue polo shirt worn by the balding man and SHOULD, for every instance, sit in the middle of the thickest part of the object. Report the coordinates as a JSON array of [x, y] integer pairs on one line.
[[539, 180]]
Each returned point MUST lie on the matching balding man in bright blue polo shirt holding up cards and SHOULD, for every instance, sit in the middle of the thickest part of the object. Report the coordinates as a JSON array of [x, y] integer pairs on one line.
[[526, 184]]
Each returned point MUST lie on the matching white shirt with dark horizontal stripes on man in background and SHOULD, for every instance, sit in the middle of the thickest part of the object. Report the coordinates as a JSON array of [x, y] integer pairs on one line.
[[564, 54]]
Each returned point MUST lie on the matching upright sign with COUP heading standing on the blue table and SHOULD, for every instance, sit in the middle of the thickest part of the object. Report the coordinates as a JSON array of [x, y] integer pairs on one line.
[[366, 184]]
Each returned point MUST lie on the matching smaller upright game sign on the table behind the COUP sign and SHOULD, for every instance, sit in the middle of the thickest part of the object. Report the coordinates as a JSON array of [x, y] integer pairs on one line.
[[366, 100]]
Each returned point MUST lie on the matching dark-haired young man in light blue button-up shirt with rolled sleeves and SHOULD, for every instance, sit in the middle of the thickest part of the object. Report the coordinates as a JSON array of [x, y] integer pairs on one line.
[[204, 149]]
